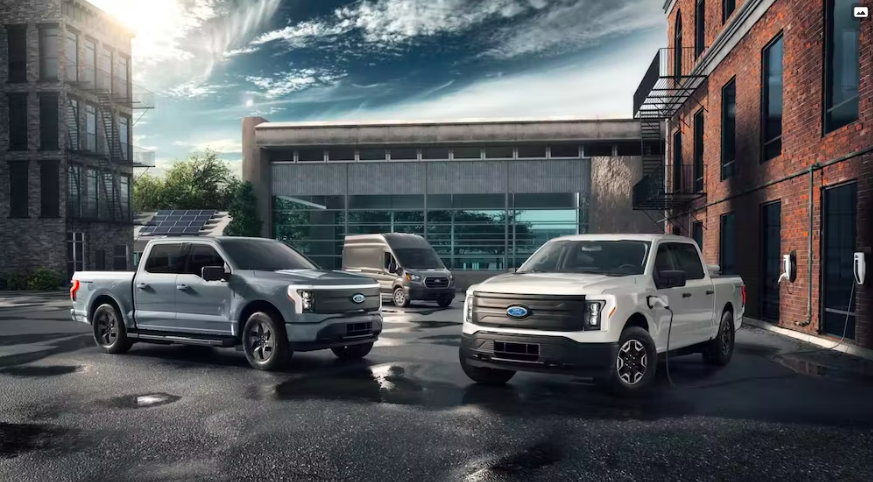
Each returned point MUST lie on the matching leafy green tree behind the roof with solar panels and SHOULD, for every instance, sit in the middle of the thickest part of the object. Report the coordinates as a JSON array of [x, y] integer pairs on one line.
[[203, 181]]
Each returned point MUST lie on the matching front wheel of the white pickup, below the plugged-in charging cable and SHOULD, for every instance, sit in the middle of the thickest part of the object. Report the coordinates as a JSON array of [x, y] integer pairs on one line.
[[633, 370]]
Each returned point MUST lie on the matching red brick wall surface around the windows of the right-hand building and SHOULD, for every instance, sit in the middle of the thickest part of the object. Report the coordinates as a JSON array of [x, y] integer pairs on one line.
[[802, 24]]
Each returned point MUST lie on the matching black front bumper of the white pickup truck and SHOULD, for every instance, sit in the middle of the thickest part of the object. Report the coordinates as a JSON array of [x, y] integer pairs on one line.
[[536, 353]]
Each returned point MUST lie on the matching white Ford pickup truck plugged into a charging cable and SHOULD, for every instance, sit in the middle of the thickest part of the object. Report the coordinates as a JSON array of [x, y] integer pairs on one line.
[[601, 306]]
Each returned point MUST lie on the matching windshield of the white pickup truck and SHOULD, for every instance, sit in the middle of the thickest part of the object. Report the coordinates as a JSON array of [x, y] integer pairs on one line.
[[613, 258]]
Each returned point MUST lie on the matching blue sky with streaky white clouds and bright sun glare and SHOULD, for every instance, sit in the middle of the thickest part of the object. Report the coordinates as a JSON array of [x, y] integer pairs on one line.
[[212, 62]]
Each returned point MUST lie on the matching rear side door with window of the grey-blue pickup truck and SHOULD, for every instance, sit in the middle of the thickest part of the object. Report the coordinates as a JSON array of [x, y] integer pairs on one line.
[[154, 287]]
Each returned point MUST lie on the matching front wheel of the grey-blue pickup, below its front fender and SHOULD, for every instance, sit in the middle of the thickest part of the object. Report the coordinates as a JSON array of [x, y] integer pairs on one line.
[[264, 342]]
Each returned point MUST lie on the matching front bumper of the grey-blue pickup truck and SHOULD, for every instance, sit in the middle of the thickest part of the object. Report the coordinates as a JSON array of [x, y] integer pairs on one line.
[[335, 331]]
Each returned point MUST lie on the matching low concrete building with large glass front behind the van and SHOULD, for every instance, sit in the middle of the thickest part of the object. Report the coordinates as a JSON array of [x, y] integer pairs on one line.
[[486, 194]]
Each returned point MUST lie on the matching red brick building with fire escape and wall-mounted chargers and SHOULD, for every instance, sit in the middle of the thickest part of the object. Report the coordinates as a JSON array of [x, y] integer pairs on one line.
[[767, 107]]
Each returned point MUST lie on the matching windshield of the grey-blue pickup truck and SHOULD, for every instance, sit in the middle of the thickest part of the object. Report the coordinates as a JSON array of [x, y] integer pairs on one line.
[[264, 255]]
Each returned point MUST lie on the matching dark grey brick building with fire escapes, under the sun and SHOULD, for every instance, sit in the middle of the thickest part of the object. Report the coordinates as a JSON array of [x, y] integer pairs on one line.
[[66, 161]]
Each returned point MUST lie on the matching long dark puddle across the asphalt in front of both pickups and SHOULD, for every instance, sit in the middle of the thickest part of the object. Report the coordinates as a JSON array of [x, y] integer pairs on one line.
[[412, 384]]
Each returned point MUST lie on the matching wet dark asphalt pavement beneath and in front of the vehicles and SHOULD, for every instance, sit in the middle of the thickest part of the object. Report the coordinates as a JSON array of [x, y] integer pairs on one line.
[[407, 412]]
